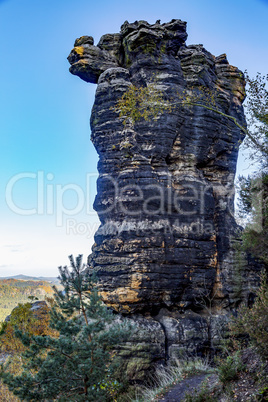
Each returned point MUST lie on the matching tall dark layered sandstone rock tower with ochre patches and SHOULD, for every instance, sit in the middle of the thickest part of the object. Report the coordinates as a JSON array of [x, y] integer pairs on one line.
[[166, 185]]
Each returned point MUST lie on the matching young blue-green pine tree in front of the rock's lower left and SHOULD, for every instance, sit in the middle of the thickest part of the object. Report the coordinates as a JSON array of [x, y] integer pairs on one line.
[[77, 365]]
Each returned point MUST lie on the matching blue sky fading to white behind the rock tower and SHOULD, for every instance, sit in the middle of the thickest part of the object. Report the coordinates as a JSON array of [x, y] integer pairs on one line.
[[45, 111]]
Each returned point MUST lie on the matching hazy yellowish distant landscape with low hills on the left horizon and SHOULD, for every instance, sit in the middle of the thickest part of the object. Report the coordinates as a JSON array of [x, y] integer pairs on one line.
[[14, 291]]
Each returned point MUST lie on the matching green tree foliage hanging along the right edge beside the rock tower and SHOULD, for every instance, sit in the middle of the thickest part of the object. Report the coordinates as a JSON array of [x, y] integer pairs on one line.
[[253, 190]]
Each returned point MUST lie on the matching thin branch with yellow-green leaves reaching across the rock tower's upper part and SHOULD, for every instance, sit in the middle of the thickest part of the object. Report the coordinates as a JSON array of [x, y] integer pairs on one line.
[[149, 102]]
